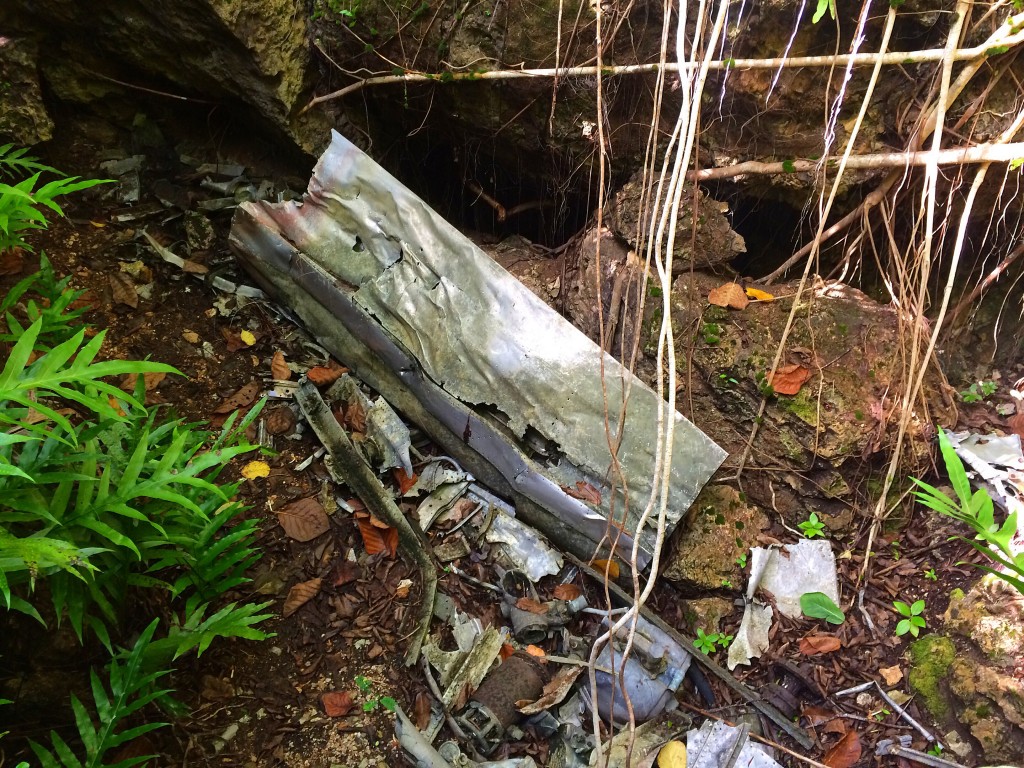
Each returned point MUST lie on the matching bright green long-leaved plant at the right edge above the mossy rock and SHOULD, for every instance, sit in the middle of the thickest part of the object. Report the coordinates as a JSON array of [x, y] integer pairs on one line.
[[976, 510]]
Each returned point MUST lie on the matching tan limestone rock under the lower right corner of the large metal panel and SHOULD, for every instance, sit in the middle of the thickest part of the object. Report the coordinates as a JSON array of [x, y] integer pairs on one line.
[[719, 528]]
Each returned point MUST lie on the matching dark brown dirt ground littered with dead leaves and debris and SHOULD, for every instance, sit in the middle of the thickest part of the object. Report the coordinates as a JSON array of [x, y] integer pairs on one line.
[[263, 704]]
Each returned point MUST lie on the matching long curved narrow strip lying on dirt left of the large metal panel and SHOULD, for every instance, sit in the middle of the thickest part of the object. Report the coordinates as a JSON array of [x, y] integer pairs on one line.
[[368, 487]]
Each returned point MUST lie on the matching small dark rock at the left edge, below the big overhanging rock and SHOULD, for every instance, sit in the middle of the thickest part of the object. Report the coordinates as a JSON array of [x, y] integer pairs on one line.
[[23, 115]]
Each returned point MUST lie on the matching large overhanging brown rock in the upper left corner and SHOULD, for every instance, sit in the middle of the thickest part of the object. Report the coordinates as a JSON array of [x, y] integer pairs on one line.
[[253, 53]]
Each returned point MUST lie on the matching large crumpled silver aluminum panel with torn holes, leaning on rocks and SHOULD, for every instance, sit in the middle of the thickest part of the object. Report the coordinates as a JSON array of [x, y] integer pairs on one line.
[[496, 377]]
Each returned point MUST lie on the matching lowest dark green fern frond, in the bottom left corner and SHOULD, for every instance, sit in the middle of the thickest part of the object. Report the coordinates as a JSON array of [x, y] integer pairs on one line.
[[133, 688]]
